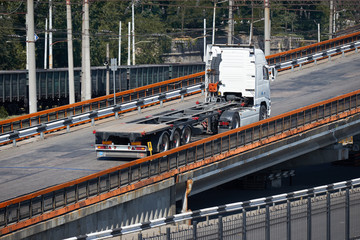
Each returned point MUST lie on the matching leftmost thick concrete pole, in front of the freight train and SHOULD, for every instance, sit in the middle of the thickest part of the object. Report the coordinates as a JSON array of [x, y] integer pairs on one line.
[[31, 57]]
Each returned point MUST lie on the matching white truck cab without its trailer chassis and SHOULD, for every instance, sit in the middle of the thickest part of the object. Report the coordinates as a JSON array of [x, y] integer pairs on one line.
[[239, 73]]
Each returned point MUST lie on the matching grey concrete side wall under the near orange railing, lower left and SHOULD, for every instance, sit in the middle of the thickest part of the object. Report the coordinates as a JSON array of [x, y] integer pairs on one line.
[[137, 206]]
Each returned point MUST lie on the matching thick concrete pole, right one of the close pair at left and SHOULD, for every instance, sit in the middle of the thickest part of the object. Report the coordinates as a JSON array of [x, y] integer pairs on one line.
[[86, 71]]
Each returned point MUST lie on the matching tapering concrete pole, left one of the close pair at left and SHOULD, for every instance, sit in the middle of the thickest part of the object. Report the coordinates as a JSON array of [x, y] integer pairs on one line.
[[70, 53]]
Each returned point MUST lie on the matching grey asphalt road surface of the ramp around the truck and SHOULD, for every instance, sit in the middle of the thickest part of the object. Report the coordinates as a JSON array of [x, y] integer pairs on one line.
[[36, 164]]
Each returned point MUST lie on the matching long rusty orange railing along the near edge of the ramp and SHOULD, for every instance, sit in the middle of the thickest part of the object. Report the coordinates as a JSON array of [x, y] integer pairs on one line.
[[60, 199]]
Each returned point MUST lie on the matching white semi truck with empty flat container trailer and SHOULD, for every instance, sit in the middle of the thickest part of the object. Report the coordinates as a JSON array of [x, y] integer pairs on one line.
[[237, 93]]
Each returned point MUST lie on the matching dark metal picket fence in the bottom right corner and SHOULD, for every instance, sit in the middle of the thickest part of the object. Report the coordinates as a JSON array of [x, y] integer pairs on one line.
[[333, 213]]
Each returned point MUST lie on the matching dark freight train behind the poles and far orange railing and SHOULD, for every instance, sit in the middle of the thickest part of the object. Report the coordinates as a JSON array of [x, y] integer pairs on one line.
[[52, 84]]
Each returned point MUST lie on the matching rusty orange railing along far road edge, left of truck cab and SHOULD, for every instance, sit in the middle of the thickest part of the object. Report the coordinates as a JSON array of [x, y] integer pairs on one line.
[[34, 119]]
